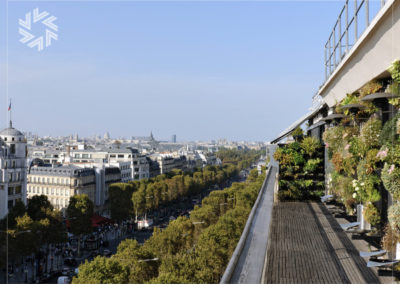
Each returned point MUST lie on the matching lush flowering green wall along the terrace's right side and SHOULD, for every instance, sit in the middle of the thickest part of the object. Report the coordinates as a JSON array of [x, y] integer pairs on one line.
[[364, 149]]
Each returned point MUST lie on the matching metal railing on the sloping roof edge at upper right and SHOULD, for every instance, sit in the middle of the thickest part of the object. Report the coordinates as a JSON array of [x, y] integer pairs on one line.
[[347, 31]]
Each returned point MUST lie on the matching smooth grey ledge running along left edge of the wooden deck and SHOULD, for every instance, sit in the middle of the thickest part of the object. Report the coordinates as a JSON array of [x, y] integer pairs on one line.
[[249, 268]]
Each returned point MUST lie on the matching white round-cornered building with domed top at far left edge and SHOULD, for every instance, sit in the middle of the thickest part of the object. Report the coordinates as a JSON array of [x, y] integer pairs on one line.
[[13, 152]]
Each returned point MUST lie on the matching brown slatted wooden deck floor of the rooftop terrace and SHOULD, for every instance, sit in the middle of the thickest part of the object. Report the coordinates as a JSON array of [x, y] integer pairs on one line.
[[307, 245]]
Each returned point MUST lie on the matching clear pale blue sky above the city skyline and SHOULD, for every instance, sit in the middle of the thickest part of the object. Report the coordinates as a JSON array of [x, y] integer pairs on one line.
[[200, 70]]
